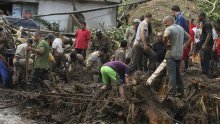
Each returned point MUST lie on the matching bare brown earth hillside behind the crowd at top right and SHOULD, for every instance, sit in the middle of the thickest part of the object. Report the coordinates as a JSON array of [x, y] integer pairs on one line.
[[161, 8]]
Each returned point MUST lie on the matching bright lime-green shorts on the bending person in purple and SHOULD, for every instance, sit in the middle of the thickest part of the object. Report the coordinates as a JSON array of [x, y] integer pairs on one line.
[[110, 75]]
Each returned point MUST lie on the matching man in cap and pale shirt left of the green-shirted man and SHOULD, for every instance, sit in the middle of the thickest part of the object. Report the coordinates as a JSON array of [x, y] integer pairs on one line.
[[20, 59]]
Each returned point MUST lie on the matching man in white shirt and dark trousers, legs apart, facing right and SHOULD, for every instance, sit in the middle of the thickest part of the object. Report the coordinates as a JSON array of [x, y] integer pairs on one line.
[[142, 47]]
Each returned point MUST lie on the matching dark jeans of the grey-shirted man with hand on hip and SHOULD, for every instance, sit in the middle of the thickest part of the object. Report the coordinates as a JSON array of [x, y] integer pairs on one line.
[[173, 68]]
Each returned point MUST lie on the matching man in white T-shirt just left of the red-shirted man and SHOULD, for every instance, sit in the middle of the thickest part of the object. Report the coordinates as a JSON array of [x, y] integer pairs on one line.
[[57, 50]]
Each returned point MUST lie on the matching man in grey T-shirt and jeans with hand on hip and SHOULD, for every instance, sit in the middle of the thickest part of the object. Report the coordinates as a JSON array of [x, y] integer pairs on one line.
[[174, 37]]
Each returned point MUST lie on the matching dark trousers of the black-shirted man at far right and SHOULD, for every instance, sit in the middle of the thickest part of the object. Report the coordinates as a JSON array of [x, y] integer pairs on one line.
[[205, 56]]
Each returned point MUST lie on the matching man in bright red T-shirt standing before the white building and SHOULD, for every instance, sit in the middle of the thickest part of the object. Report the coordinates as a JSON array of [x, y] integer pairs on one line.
[[82, 39]]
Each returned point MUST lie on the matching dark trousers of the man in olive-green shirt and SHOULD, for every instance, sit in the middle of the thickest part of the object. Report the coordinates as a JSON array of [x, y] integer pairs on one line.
[[38, 76]]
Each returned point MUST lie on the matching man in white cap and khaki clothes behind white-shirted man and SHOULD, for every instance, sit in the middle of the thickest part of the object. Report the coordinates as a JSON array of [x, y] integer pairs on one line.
[[130, 36]]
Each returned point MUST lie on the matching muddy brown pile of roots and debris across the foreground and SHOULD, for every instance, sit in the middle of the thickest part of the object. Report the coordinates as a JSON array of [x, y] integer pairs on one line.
[[83, 101]]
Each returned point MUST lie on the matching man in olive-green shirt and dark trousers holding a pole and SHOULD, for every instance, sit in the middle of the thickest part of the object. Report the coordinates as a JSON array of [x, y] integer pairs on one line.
[[41, 61]]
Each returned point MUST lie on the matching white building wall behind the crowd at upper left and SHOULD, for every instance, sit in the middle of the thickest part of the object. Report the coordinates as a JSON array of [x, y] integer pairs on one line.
[[93, 19]]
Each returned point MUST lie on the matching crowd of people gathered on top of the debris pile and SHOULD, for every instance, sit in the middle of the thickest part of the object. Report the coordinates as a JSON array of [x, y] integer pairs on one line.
[[137, 51]]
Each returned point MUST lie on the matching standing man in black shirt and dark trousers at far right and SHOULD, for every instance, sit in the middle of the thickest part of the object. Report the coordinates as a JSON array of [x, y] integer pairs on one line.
[[206, 42]]
